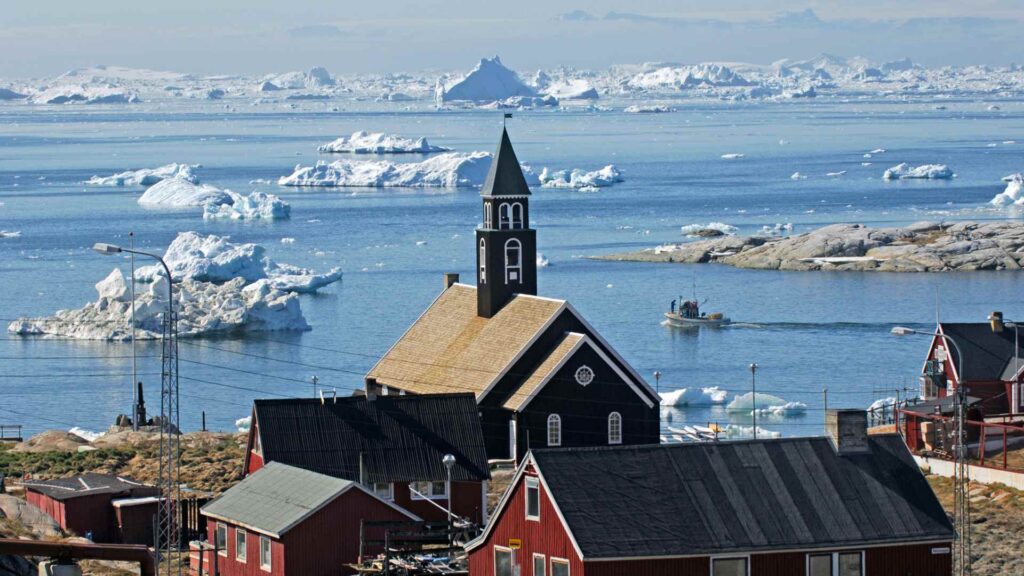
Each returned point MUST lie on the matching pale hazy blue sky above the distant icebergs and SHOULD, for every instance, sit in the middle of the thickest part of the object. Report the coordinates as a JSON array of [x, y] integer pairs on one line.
[[41, 39]]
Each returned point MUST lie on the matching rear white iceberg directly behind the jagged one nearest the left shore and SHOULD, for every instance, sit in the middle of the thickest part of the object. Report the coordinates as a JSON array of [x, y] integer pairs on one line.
[[214, 259]]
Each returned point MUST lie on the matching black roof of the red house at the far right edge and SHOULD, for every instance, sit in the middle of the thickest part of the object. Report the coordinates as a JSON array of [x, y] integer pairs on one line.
[[987, 354]]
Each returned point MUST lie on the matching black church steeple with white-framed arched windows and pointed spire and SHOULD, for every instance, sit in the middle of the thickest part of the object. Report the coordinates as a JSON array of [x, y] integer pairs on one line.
[[506, 246]]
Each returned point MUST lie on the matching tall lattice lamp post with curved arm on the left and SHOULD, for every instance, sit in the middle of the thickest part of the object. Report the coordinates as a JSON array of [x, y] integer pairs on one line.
[[170, 443]]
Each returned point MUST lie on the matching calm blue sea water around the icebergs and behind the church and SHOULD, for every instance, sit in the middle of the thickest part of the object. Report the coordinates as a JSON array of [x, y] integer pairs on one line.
[[807, 332]]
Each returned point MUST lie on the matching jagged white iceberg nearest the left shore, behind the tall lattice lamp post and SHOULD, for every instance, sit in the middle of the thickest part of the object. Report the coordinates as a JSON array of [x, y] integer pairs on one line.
[[203, 308]]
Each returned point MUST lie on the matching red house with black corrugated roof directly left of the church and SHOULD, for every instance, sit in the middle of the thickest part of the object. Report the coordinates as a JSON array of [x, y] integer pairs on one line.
[[395, 445]]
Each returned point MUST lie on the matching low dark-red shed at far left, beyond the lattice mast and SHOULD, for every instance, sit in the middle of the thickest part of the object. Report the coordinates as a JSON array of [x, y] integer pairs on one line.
[[104, 508]]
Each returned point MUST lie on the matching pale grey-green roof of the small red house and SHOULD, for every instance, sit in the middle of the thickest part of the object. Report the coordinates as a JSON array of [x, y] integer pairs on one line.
[[276, 499]]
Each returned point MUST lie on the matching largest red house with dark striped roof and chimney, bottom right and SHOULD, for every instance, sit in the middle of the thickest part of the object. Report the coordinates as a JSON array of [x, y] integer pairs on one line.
[[847, 505]]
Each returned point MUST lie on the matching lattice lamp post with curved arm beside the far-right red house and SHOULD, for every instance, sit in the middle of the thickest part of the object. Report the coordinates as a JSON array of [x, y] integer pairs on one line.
[[962, 505]]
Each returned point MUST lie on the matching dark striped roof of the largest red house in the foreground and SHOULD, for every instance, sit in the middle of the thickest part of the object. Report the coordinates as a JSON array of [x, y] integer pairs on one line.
[[735, 497]]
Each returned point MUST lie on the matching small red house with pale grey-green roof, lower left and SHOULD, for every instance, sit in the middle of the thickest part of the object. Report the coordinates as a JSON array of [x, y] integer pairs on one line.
[[283, 520]]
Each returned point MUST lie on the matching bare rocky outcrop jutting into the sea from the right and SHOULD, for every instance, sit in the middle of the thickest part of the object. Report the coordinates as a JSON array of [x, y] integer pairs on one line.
[[920, 248]]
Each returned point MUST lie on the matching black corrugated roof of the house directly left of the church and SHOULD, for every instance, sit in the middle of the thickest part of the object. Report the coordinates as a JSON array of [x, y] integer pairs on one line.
[[401, 438]]
